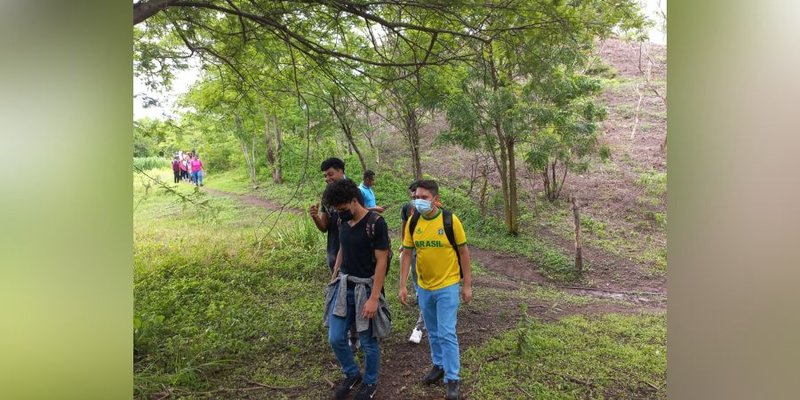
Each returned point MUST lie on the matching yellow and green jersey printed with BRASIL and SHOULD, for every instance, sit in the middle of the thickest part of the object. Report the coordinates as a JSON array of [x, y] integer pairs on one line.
[[437, 263]]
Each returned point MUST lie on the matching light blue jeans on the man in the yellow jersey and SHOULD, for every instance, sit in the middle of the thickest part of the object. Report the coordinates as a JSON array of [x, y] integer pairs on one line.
[[440, 309]]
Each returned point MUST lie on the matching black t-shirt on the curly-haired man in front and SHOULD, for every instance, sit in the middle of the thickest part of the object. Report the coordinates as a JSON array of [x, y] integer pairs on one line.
[[358, 258]]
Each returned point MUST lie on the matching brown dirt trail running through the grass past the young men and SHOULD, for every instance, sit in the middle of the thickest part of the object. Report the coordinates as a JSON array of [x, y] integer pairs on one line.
[[612, 278]]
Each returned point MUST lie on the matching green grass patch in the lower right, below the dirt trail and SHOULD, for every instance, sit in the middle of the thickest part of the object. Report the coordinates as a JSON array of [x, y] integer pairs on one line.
[[613, 356]]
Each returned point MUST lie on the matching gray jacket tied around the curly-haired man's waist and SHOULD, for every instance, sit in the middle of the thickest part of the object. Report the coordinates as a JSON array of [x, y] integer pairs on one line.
[[381, 322]]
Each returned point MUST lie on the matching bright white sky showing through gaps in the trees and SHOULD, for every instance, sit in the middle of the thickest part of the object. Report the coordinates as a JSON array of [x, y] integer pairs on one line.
[[184, 79]]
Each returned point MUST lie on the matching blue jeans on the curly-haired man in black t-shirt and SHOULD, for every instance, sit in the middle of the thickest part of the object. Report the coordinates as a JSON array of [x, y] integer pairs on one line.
[[338, 334]]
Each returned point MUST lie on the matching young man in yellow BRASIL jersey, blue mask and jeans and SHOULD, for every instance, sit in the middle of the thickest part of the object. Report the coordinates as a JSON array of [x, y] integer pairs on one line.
[[438, 278]]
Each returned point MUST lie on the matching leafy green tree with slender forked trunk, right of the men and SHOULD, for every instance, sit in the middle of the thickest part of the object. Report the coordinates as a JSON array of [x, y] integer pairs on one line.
[[519, 75]]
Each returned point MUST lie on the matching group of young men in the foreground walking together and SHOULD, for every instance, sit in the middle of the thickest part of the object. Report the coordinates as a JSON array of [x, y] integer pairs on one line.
[[433, 253]]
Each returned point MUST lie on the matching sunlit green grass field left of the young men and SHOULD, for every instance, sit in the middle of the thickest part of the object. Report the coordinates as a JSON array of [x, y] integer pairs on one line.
[[227, 293]]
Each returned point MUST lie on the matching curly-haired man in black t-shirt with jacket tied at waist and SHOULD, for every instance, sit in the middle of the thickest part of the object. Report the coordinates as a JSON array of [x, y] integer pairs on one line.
[[360, 269]]
